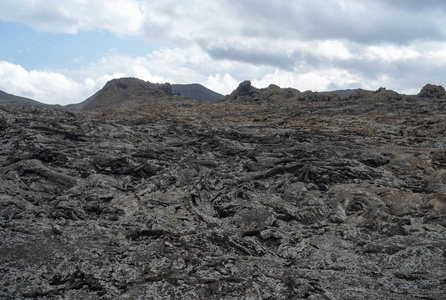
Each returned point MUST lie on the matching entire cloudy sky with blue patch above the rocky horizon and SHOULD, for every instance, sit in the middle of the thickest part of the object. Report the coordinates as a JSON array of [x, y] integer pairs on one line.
[[63, 51]]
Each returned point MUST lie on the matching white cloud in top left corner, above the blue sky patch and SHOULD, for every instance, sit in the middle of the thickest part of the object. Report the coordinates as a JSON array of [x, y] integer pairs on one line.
[[122, 17]]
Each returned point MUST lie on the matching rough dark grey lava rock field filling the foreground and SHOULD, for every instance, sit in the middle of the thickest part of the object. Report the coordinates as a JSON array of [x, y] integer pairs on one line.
[[268, 194]]
